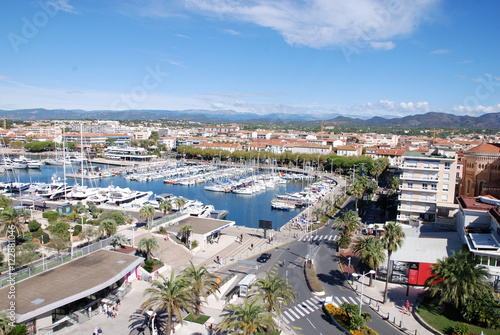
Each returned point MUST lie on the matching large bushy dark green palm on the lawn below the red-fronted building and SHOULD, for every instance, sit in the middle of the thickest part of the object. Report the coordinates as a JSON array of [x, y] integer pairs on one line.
[[458, 278]]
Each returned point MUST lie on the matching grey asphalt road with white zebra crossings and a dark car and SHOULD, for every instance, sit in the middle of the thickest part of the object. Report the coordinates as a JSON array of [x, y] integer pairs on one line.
[[306, 316]]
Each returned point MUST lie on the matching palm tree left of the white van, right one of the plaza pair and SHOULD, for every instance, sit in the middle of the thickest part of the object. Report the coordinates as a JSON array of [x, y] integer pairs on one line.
[[201, 283]]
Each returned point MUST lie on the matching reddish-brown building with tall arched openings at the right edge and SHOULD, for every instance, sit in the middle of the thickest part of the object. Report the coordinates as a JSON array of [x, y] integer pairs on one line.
[[481, 171]]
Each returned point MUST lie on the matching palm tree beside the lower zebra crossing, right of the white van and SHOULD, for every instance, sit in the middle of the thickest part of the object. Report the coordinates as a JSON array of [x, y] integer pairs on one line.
[[273, 289]]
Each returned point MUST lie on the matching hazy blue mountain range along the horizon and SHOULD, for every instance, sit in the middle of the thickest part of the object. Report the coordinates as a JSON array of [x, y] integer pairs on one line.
[[427, 120]]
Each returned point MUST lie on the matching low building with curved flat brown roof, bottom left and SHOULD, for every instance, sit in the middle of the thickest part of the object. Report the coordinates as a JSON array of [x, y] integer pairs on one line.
[[61, 296]]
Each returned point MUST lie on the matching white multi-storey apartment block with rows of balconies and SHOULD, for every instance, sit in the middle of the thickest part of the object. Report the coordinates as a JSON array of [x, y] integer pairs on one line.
[[427, 189]]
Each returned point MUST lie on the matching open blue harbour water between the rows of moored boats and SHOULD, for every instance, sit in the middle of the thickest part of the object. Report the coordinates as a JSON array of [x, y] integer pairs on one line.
[[245, 210]]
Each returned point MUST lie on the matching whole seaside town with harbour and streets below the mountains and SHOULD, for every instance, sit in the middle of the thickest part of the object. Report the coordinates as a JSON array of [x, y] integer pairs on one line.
[[89, 258]]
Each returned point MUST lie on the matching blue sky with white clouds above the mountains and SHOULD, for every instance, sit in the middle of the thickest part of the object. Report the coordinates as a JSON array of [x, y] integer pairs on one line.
[[358, 58]]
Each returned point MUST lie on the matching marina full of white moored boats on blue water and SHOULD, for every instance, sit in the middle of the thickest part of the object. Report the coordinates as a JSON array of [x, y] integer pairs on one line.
[[118, 189]]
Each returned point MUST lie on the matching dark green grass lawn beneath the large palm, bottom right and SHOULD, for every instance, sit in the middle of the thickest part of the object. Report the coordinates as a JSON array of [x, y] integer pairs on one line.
[[445, 319]]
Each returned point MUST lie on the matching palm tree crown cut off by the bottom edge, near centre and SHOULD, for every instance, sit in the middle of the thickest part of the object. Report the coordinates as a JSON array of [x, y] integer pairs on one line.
[[248, 318]]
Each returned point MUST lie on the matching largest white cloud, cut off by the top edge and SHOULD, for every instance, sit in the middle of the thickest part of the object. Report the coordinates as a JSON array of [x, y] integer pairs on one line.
[[325, 23]]
